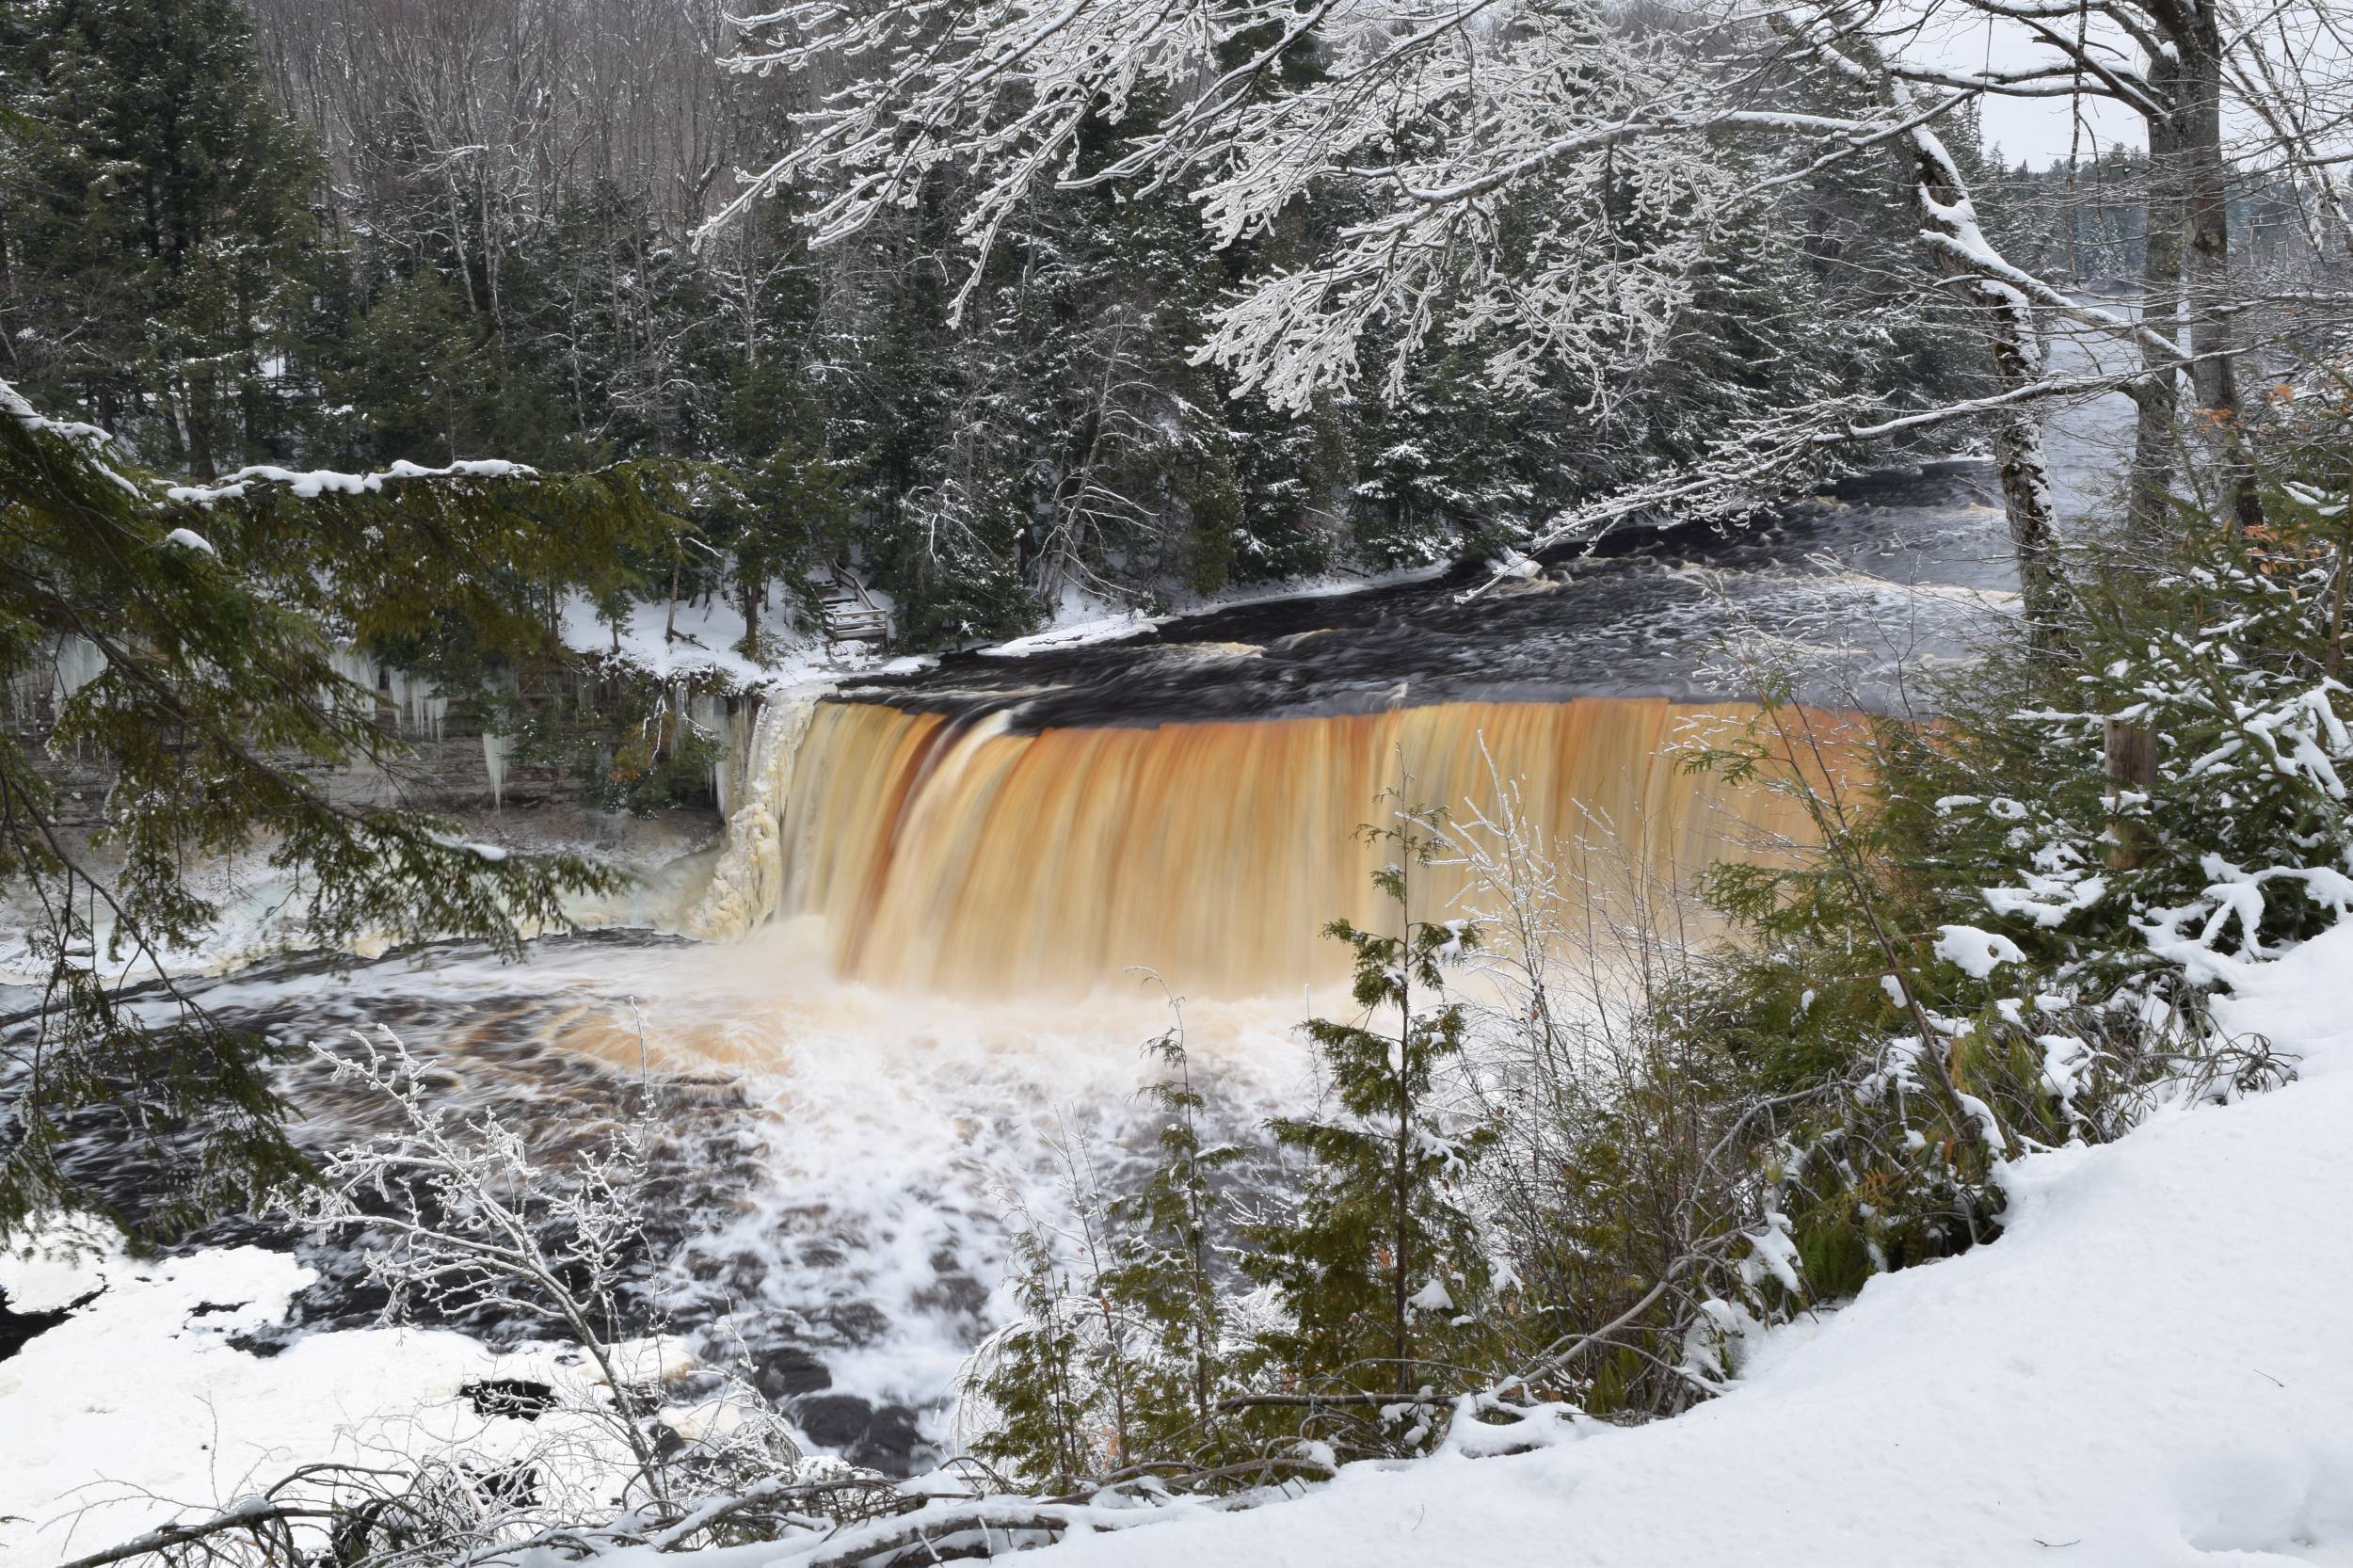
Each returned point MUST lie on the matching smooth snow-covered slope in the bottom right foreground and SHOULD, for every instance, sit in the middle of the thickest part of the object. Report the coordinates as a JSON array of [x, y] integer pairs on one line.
[[2142, 1371]]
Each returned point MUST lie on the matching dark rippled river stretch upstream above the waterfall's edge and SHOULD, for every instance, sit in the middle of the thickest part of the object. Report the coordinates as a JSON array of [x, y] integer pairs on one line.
[[1881, 576]]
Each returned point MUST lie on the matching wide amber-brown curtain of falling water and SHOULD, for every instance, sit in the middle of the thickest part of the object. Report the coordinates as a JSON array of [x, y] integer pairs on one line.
[[975, 861]]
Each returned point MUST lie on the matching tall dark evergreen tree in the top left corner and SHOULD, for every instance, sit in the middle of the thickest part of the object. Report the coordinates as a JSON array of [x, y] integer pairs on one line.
[[156, 234]]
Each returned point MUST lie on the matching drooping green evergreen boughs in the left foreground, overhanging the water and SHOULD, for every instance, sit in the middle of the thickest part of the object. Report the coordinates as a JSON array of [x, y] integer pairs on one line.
[[215, 703]]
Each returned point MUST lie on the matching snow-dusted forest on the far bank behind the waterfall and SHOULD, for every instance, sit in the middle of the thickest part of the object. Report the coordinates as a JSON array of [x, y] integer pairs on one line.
[[361, 232]]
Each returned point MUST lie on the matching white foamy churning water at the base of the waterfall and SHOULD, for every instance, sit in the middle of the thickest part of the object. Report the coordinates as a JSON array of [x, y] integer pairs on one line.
[[834, 1164]]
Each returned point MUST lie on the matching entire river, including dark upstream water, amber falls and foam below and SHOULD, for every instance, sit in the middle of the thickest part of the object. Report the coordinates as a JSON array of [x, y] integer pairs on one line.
[[926, 1006]]
